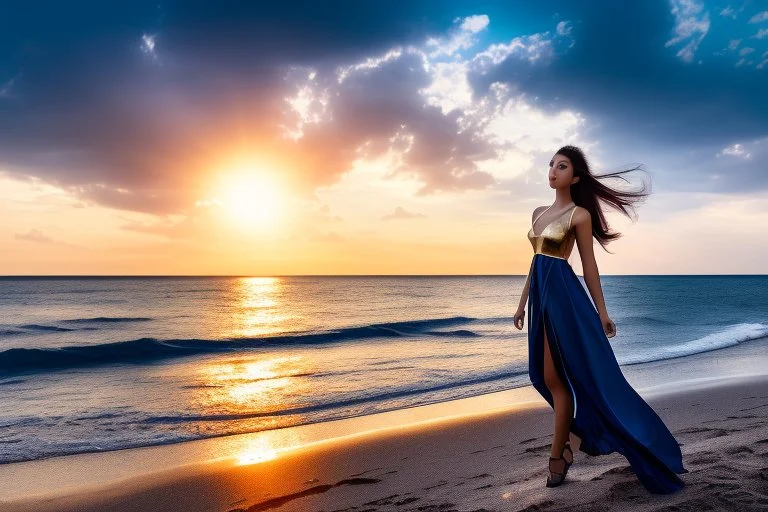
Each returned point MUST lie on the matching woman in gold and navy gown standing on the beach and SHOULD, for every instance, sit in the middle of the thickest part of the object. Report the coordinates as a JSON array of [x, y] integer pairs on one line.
[[571, 362]]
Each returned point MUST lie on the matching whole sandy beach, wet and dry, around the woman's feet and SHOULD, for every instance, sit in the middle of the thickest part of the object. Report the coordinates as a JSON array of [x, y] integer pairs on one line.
[[483, 453]]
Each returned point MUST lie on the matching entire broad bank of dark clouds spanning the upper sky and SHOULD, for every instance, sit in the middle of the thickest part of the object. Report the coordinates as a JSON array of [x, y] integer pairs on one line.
[[450, 110]]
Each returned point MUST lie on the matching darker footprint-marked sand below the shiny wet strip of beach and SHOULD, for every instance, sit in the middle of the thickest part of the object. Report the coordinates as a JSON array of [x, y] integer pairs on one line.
[[494, 461]]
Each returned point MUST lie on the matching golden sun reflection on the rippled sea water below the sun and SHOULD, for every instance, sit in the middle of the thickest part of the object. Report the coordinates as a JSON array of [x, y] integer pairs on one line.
[[258, 388]]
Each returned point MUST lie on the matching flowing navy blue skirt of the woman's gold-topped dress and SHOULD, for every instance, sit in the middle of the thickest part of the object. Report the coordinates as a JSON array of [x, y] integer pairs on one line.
[[609, 415]]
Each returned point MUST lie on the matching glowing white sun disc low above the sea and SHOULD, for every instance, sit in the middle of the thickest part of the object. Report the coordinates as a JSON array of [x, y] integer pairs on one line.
[[250, 198]]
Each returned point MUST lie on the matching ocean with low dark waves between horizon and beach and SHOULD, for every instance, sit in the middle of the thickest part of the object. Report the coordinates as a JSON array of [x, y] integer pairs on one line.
[[91, 364]]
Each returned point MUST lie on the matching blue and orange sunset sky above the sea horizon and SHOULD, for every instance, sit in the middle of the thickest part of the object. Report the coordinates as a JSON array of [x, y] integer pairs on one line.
[[378, 137]]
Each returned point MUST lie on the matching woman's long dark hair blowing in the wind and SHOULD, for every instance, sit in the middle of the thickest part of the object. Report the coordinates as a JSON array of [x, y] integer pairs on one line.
[[589, 191]]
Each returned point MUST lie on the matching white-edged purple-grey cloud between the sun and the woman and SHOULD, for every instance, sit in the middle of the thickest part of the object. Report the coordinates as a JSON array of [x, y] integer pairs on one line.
[[410, 106]]
